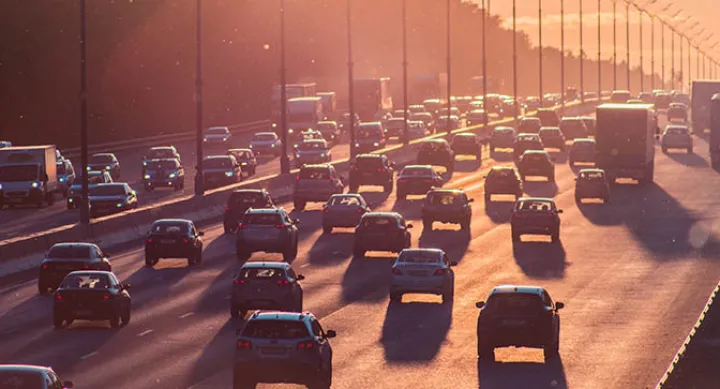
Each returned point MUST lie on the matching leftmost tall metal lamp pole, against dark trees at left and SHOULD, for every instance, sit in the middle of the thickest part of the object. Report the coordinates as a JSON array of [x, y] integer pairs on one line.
[[84, 204]]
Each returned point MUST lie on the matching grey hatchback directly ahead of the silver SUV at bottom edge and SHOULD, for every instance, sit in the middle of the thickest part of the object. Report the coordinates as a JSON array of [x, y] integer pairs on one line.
[[266, 285]]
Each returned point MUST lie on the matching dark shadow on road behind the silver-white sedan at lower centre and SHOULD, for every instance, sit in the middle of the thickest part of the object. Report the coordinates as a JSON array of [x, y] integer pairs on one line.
[[415, 331]]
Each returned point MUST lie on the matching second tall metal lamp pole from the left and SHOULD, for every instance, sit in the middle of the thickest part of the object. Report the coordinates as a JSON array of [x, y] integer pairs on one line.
[[199, 178]]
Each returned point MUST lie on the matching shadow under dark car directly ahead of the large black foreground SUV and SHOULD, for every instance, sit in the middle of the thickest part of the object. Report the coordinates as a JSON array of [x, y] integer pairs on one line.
[[540, 260]]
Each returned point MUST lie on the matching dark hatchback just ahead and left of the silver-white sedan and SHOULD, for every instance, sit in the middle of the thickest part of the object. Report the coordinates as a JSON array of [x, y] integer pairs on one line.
[[381, 231]]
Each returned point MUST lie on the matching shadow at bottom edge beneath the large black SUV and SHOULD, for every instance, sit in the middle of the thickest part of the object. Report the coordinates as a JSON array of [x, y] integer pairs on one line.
[[514, 375]]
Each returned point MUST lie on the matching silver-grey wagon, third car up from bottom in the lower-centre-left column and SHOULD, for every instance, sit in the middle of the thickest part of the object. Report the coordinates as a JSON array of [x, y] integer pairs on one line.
[[267, 230]]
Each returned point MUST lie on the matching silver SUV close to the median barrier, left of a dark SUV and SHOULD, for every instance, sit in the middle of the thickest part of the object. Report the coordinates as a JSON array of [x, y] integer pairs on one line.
[[316, 183]]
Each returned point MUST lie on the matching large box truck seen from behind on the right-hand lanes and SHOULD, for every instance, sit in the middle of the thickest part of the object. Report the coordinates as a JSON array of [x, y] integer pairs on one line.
[[625, 137]]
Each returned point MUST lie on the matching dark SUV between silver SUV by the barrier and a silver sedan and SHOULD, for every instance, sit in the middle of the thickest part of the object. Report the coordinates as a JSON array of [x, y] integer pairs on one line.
[[372, 169]]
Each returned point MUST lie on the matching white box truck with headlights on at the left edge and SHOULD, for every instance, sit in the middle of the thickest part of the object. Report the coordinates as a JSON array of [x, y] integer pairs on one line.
[[28, 175]]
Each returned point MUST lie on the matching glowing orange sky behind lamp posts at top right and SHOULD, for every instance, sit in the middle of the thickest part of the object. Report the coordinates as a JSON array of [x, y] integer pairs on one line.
[[702, 11]]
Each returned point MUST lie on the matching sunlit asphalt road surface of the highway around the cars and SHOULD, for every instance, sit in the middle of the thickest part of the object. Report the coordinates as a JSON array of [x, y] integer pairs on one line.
[[633, 274]]
